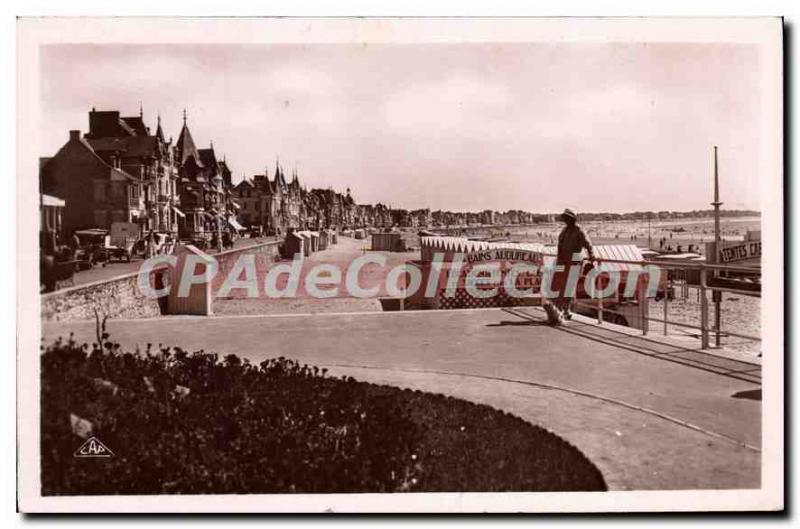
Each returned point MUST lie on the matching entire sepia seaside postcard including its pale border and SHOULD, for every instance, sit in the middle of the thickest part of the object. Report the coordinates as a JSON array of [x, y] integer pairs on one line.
[[400, 265]]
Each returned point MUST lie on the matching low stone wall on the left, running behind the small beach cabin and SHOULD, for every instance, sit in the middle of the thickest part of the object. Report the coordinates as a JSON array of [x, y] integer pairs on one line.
[[120, 297]]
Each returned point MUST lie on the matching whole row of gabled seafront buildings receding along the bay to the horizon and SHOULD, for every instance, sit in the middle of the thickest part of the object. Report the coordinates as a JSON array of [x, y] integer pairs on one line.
[[120, 171]]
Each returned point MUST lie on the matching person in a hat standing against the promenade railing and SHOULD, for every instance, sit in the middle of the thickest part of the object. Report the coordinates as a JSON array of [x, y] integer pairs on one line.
[[572, 240]]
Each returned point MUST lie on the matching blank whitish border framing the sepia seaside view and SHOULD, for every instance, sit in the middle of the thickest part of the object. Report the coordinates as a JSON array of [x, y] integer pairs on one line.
[[764, 32]]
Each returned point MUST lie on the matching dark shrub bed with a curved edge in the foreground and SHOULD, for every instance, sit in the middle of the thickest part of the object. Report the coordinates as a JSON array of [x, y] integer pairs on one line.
[[193, 423]]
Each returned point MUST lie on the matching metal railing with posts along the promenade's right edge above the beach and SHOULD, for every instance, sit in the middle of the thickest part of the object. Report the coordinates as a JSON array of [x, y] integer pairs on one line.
[[703, 286]]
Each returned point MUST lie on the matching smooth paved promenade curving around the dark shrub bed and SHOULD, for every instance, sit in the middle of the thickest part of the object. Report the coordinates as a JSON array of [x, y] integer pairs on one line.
[[650, 414]]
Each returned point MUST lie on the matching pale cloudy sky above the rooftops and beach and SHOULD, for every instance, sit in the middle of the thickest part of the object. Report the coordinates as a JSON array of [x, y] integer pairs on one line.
[[538, 127]]
